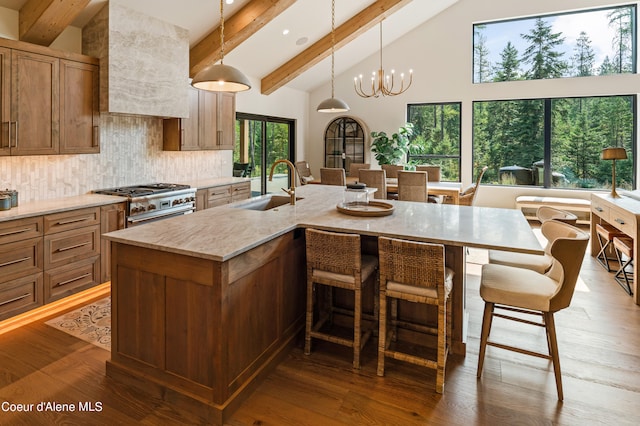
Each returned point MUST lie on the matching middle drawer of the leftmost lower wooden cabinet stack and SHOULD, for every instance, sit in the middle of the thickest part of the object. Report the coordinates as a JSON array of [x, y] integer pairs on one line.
[[20, 258]]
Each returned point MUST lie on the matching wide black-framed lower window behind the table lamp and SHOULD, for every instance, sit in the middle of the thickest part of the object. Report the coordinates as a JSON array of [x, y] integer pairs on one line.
[[555, 142]]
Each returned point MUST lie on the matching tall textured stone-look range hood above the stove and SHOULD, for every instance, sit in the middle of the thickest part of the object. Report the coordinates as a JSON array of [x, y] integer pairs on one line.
[[144, 62]]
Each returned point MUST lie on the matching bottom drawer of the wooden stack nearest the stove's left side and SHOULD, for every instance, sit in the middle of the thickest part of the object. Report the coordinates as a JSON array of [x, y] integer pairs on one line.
[[69, 279]]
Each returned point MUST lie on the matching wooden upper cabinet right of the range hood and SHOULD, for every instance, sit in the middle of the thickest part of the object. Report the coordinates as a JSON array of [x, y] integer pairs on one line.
[[210, 126]]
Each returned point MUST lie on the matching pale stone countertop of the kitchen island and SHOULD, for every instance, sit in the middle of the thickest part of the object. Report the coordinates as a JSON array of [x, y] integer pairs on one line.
[[224, 232]]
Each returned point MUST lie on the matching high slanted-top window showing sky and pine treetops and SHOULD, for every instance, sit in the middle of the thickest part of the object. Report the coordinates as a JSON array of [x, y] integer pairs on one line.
[[578, 44]]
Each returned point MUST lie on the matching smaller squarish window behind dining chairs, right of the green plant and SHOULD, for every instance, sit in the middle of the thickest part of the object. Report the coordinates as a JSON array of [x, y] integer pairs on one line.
[[436, 137]]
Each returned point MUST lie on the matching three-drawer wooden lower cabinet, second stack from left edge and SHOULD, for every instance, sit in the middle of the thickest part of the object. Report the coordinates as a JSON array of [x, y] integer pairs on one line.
[[71, 252]]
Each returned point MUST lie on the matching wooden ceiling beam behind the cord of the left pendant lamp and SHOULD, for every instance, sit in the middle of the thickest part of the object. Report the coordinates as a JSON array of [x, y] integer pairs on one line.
[[237, 28]]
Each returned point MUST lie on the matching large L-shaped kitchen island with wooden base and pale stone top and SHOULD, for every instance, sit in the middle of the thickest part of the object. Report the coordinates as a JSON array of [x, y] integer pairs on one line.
[[204, 305]]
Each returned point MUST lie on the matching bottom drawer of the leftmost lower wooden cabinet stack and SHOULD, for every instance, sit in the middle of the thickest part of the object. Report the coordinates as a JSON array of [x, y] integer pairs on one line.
[[20, 295]]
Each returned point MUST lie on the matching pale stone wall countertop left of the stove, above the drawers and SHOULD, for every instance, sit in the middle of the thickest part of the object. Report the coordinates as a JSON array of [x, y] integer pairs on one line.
[[56, 205]]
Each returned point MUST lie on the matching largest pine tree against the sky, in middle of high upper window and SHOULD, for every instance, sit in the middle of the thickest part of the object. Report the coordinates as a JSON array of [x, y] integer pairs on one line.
[[546, 62]]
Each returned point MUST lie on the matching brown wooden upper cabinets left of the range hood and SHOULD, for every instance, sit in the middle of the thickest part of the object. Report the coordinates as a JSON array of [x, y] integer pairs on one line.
[[49, 103]]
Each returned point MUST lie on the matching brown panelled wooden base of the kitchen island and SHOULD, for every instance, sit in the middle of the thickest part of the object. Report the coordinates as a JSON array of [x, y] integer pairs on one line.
[[199, 333]]
